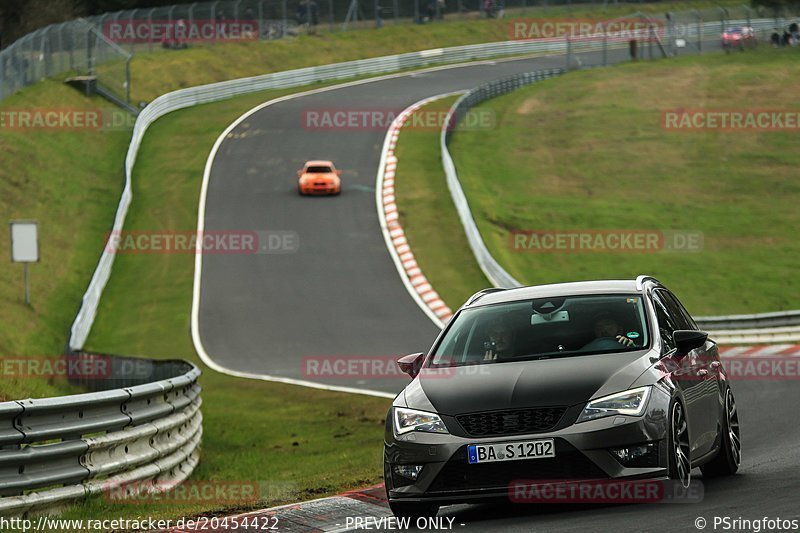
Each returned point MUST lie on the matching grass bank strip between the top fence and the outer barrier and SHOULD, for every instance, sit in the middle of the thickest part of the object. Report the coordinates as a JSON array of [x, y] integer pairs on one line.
[[166, 70]]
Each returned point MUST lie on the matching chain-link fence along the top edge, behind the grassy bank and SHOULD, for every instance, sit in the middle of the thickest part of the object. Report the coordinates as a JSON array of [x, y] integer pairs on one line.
[[100, 48]]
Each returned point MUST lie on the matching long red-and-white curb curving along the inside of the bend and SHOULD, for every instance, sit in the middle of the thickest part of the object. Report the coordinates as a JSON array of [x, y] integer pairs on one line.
[[415, 281]]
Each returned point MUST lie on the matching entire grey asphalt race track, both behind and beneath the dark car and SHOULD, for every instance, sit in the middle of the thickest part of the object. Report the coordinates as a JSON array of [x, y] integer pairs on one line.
[[340, 295]]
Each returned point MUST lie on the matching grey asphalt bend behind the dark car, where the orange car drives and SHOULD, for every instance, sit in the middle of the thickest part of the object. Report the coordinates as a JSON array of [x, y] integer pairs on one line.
[[339, 295]]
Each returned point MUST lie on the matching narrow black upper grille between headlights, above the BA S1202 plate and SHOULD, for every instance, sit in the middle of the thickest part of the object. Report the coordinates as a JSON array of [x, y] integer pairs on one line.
[[511, 422]]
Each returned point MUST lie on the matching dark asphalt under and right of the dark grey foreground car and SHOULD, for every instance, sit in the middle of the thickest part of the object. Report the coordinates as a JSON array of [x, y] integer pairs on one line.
[[767, 484]]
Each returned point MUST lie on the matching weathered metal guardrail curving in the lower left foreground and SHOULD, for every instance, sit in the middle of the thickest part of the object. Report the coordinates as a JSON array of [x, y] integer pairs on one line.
[[140, 430]]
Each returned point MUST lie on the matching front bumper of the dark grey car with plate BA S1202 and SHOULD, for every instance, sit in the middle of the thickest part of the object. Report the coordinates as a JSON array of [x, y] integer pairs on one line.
[[583, 452]]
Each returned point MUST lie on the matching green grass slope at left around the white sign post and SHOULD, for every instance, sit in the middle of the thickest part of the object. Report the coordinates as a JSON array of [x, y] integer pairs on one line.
[[52, 176]]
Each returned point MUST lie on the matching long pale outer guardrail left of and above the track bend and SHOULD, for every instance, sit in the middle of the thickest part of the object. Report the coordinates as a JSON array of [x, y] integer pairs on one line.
[[296, 78]]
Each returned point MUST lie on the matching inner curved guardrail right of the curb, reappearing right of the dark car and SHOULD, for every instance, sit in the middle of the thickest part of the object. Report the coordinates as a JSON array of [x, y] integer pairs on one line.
[[761, 328]]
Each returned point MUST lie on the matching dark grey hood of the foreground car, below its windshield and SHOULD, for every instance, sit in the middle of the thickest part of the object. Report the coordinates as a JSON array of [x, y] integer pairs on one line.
[[562, 381]]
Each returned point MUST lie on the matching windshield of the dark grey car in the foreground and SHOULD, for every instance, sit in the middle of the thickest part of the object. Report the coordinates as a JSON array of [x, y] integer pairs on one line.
[[544, 328]]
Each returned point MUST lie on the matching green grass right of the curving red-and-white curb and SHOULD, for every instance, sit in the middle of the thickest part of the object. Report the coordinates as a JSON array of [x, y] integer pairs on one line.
[[587, 151]]
